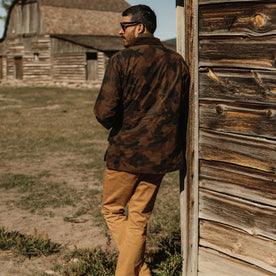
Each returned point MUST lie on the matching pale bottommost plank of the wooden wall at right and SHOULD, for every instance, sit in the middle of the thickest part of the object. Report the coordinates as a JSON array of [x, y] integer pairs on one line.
[[213, 263]]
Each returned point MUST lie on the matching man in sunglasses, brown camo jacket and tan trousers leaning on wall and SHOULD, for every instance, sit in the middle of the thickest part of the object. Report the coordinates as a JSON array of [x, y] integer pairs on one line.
[[142, 100]]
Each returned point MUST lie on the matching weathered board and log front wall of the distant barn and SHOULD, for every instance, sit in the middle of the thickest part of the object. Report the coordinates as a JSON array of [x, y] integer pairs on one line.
[[44, 58]]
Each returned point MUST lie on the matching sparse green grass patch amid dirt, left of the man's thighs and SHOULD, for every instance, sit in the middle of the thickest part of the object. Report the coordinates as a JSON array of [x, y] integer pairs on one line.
[[36, 195]]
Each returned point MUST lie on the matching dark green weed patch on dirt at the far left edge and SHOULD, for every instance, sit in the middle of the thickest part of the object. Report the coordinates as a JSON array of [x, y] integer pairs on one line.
[[27, 245]]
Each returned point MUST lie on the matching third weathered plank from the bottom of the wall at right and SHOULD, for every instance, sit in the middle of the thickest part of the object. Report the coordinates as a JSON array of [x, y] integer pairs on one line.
[[256, 219]]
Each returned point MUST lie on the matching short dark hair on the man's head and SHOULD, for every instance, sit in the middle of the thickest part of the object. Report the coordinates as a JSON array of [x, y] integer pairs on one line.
[[143, 14]]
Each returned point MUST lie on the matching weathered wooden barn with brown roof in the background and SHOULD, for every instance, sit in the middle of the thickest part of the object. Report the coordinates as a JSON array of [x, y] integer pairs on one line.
[[59, 40]]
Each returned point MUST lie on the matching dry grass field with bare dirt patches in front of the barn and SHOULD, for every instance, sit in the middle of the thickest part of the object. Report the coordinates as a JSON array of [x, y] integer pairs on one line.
[[51, 170]]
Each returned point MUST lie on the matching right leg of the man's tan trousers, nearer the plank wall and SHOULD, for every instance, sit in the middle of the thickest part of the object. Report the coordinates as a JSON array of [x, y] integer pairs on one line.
[[132, 249]]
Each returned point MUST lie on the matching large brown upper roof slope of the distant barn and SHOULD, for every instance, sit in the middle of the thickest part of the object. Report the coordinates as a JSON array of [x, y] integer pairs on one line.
[[82, 17]]
